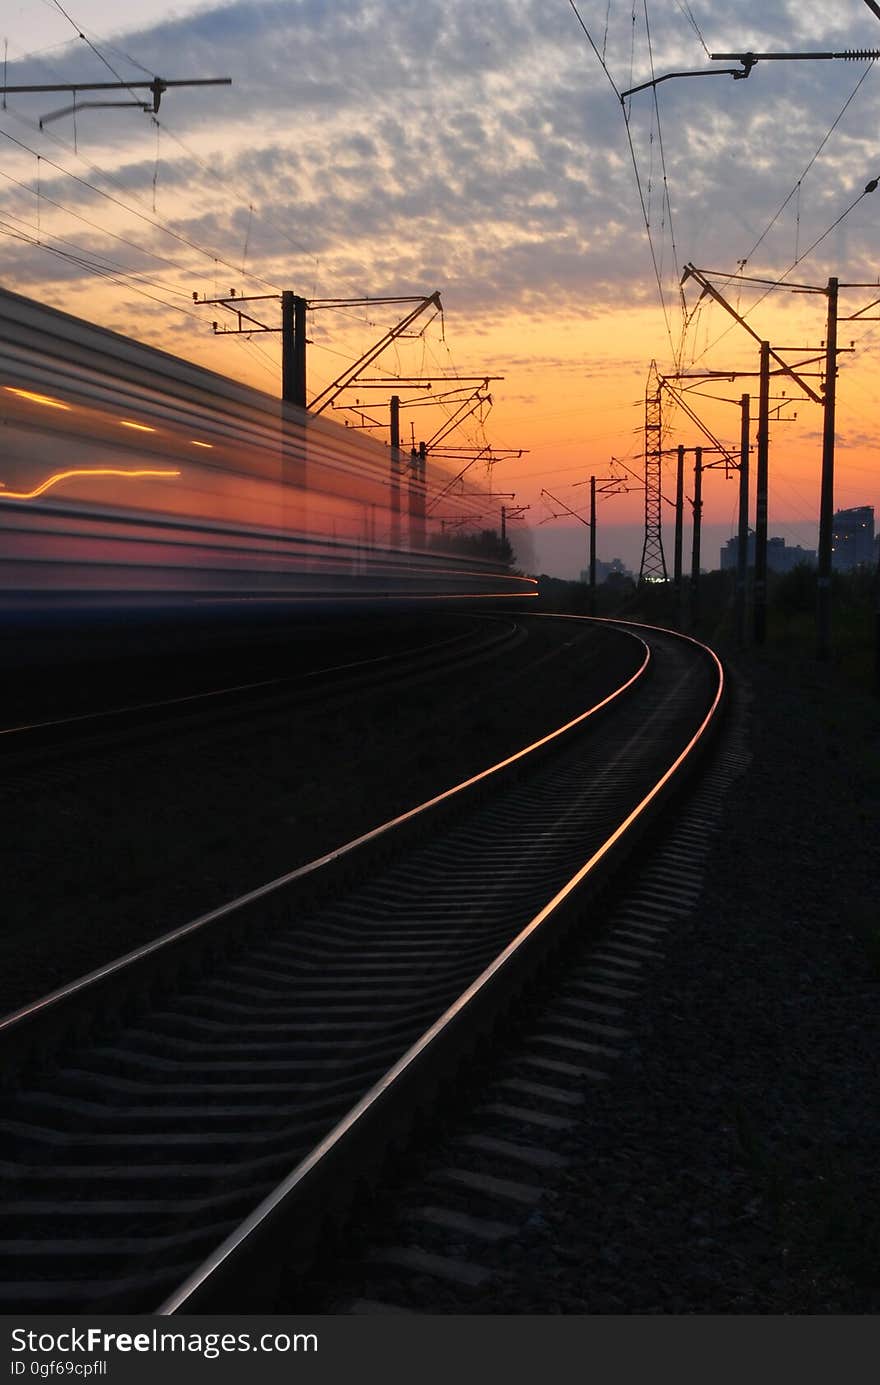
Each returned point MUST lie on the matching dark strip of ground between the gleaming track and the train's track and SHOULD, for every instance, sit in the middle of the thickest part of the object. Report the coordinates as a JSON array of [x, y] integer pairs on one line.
[[138, 830]]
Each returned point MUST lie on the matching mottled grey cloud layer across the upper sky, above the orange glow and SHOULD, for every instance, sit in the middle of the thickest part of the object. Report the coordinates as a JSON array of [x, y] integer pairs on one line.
[[480, 149]]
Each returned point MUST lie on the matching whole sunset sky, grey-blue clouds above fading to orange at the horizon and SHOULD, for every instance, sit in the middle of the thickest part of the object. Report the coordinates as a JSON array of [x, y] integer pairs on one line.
[[376, 149]]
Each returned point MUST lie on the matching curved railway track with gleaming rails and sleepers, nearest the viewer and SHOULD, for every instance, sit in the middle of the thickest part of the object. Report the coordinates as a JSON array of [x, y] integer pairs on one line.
[[164, 1102]]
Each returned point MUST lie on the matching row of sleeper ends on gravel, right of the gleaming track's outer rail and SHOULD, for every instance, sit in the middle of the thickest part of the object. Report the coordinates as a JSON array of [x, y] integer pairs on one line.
[[465, 1222]]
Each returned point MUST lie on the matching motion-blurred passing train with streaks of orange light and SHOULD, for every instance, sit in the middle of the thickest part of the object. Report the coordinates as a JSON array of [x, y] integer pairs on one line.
[[134, 481]]
